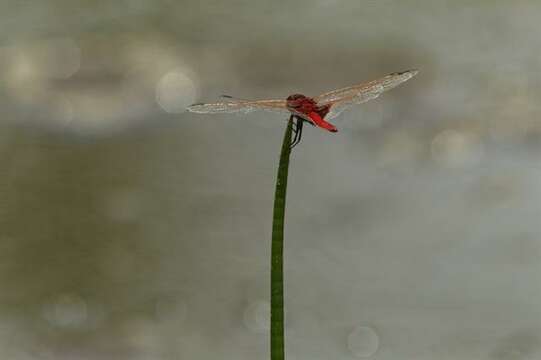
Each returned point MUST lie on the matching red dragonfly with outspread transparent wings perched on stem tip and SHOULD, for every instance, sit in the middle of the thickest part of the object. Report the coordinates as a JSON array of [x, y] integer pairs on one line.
[[316, 110]]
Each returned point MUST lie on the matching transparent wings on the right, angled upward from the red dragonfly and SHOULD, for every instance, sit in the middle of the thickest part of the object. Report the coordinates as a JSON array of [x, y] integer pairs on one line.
[[341, 99]]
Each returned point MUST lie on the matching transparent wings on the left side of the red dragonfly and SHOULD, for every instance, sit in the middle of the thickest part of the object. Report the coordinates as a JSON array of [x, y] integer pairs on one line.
[[238, 105]]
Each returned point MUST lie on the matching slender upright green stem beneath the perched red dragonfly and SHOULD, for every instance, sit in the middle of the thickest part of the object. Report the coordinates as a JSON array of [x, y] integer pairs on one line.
[[277, 269]]
